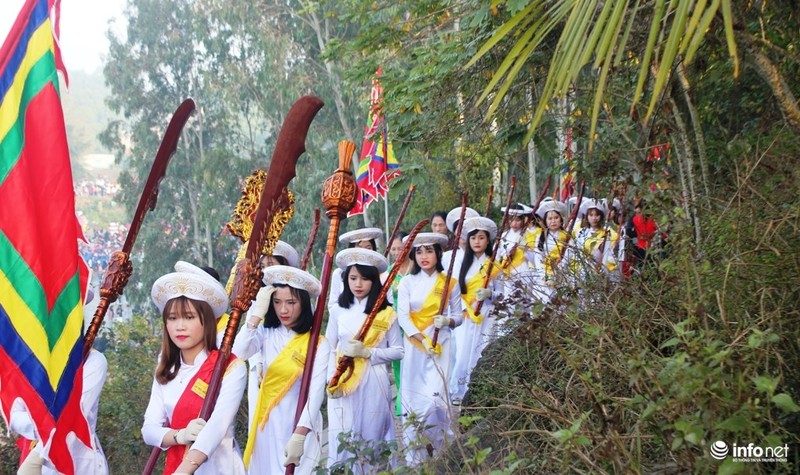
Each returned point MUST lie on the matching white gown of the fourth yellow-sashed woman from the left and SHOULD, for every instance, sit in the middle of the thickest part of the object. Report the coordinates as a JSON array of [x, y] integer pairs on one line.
[[471, 339]]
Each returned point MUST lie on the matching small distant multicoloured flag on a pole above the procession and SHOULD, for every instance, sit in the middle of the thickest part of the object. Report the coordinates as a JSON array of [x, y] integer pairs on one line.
[[378, 163]]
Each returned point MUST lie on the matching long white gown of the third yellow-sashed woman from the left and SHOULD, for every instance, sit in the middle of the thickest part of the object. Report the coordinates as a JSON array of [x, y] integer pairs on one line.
[[424, 379]]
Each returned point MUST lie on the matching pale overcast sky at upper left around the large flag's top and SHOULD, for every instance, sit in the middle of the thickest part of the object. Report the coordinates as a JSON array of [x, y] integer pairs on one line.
[[83, 29]]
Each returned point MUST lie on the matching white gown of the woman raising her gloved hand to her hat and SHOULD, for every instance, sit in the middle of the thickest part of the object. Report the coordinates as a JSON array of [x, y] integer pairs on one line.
[[270, 442]]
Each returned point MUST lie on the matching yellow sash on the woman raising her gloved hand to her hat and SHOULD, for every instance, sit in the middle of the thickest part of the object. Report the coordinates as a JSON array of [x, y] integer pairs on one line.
[[279, 378]]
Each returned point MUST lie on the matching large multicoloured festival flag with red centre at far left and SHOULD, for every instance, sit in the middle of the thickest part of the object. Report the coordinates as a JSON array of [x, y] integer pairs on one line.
[[42, 277]]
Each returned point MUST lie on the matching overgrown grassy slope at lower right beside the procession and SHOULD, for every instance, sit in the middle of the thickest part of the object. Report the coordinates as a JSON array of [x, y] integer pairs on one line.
[[701, 347]]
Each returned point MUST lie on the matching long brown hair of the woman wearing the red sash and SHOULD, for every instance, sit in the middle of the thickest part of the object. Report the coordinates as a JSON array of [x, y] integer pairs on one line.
[[170, 362]]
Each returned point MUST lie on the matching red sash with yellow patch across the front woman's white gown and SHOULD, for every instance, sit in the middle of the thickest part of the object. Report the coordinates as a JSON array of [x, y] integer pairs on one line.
[[188, 407]]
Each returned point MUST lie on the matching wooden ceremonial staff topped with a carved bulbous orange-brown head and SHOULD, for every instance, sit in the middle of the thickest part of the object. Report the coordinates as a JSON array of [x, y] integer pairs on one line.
[[338, 197]]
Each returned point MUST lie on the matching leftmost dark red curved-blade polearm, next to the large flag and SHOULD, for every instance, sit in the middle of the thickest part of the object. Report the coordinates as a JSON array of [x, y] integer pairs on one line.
[[119, 265]]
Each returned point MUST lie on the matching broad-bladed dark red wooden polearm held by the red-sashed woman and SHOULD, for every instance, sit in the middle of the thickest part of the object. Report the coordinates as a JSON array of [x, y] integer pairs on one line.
[[274, 197]]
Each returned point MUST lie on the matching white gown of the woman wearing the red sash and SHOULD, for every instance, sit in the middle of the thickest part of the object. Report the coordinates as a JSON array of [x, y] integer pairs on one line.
[[218, 445]]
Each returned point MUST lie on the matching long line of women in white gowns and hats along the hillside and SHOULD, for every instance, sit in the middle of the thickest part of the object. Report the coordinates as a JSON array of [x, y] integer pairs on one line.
[[413, 323]]
